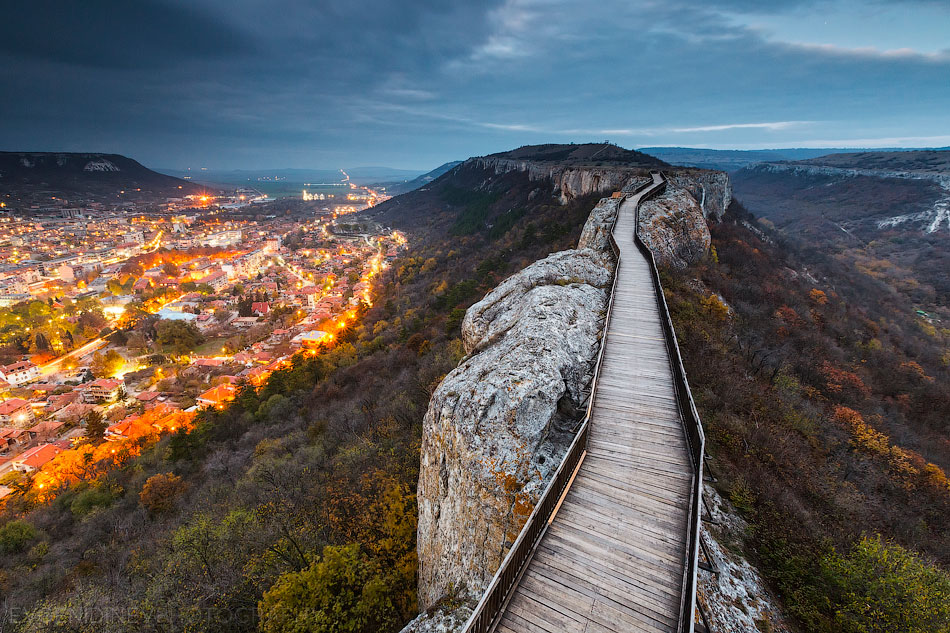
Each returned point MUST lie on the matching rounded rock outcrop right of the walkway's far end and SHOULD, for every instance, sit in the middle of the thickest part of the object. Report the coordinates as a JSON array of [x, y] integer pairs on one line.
[[673, 227]]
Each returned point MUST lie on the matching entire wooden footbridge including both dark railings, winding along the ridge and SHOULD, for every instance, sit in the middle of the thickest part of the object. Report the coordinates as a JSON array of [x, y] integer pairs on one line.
[[613, 542]]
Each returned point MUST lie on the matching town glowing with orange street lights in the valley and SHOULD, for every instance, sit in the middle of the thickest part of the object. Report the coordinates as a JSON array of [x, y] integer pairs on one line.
[[119, 322]]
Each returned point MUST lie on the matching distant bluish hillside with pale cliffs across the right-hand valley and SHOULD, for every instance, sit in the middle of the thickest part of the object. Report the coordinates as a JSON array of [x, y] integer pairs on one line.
[[887, 213]]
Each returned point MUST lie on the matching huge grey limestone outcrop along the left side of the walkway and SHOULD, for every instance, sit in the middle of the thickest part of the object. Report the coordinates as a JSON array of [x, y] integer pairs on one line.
[[499, 424]]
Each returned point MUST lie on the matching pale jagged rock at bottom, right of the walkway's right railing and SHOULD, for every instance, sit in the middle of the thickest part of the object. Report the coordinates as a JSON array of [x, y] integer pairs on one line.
[[736, 599]]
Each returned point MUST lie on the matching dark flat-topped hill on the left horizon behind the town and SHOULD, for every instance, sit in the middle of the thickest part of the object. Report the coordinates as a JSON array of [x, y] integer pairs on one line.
[[36, 175]]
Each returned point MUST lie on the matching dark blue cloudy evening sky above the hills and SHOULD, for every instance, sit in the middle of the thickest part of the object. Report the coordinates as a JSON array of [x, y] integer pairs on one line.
[[229, 84]]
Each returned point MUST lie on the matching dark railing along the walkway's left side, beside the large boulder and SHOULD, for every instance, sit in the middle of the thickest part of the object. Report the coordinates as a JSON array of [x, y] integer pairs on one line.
[[499, 590]]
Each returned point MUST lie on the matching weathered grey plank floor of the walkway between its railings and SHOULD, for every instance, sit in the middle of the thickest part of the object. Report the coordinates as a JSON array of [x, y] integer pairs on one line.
[[614, 555]]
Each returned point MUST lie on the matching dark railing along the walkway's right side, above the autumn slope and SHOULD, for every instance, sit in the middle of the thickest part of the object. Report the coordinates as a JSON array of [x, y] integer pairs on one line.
[[692, 426]]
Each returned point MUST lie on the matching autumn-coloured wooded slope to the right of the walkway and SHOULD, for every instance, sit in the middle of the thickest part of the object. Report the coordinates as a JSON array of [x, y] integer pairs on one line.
[[825, 403]]
